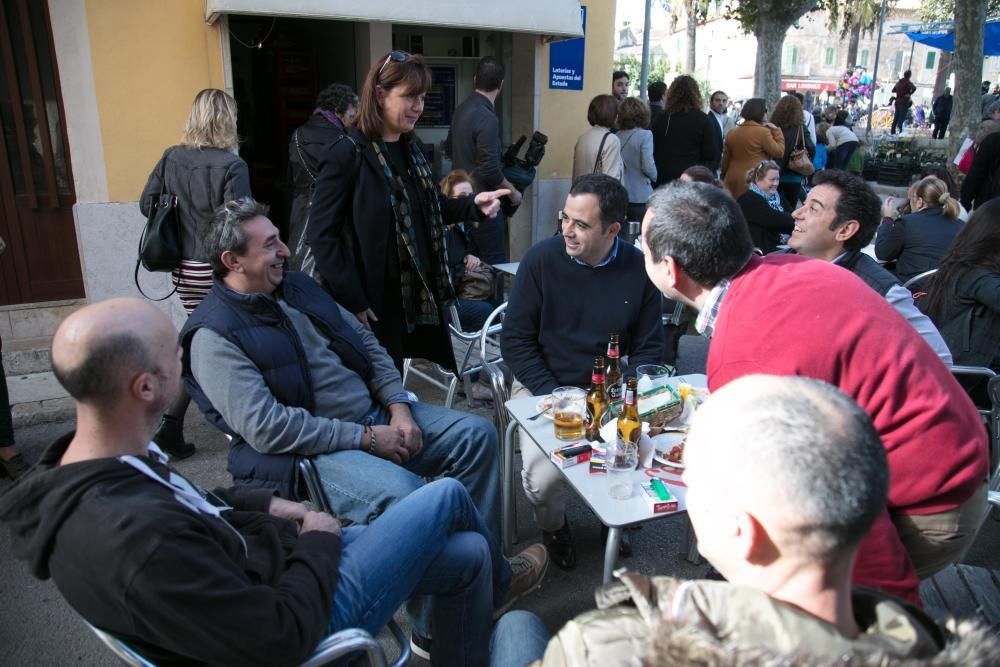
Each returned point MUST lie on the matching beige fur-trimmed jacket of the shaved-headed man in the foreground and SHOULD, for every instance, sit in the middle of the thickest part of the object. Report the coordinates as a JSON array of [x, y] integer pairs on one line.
[[707, 623]]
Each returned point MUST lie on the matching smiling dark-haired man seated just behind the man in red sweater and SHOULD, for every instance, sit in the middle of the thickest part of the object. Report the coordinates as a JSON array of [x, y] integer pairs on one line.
[[837, 220]]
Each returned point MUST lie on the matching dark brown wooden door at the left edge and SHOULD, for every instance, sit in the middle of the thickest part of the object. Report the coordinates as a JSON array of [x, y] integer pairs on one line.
[[42, 262]]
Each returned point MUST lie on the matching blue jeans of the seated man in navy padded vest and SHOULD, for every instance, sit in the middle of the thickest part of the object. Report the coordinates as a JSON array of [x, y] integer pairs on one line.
[[360, 486]]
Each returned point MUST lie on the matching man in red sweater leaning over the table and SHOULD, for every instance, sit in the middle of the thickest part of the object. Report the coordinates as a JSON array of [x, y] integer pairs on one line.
[[790, 315]]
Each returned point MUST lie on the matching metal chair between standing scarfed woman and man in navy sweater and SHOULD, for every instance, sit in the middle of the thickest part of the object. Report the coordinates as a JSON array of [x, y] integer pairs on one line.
[[469, 347]]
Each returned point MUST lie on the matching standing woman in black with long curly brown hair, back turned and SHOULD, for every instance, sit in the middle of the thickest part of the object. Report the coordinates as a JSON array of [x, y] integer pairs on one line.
[[682, 135]]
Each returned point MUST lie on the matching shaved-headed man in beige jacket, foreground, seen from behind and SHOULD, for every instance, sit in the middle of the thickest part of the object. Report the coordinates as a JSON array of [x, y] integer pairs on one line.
[[786, 476]]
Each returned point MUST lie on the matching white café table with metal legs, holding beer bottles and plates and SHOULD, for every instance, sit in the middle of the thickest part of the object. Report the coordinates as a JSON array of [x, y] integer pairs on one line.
[[593, 488]]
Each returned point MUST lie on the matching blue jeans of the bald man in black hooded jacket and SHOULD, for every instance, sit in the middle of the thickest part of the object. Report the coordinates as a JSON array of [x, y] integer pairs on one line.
[[433, 542]]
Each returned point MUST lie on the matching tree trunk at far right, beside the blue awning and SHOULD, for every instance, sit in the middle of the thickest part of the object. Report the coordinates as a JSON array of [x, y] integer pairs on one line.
[[970, 17]]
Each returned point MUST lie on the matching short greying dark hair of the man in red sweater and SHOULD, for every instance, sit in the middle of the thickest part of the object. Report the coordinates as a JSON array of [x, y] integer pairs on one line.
[[702, 228]]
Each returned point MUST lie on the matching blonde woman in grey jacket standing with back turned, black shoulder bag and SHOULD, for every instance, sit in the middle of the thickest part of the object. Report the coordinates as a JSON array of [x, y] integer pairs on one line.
[[204, 172]]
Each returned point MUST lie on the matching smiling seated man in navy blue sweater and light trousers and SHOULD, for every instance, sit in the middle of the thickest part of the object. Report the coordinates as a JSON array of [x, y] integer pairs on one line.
[[571, 291]]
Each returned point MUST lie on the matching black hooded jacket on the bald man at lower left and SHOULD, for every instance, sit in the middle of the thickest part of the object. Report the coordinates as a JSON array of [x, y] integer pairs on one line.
[[179, 586]]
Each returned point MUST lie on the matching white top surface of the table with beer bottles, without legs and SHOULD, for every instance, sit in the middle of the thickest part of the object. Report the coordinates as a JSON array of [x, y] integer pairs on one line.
[[596, 489]]
